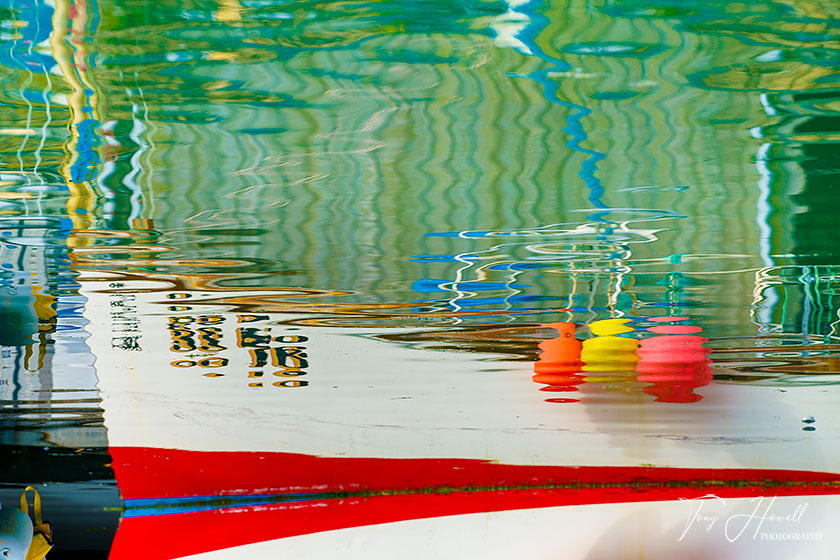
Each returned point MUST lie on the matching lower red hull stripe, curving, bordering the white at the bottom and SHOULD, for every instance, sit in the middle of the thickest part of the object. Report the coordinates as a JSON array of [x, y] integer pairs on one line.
[[193, 533]]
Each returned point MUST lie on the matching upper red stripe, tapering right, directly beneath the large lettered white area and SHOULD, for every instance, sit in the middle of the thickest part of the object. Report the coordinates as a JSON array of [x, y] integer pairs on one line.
[[170, 473]]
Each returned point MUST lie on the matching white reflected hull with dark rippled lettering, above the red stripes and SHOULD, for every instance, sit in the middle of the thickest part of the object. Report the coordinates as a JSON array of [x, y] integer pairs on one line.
[[371, 398]]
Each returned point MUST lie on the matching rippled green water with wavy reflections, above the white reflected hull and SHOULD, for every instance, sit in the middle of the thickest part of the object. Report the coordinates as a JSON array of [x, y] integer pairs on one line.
[[458, 172]]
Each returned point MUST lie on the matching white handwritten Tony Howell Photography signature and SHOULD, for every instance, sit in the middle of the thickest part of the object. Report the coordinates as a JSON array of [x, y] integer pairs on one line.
[[706, 513]]
